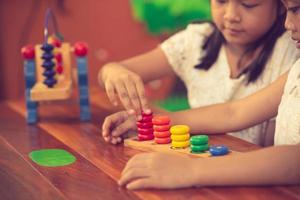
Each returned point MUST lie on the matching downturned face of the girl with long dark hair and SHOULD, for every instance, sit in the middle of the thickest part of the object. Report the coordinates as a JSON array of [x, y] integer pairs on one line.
[[243, 21]]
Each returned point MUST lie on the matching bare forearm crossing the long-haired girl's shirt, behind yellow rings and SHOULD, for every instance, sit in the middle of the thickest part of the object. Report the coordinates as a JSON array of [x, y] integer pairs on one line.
[[235, 115]]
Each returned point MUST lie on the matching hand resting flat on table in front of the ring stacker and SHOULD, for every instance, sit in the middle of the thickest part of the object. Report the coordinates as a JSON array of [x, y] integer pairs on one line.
[[159, 170]]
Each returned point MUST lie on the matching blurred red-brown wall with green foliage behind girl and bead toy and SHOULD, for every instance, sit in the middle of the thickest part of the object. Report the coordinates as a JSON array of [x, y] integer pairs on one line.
[[113, 29]]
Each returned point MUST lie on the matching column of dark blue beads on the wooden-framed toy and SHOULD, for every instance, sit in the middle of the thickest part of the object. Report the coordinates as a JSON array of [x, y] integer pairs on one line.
[[48, 65]]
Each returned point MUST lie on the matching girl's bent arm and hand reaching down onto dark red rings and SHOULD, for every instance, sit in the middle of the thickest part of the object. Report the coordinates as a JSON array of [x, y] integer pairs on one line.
[[125, 79]]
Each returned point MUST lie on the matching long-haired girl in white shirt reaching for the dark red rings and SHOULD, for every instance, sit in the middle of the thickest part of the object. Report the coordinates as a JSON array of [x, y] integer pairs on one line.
[[244, 50]]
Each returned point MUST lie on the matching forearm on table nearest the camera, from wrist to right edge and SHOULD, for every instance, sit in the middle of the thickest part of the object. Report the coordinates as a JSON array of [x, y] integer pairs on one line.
[[270, 166]]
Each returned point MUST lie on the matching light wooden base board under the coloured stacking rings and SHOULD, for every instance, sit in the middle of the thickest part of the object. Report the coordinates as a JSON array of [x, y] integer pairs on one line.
[[150, 145]]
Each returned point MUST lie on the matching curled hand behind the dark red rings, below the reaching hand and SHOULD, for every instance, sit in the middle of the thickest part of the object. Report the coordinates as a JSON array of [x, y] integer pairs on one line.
[[117, 124]]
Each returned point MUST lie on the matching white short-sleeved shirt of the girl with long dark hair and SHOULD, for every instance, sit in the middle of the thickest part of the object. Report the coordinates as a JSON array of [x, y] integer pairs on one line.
[[206, 87]]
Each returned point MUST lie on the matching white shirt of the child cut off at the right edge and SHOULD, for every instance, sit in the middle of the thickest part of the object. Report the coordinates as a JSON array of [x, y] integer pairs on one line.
[[288, 118]]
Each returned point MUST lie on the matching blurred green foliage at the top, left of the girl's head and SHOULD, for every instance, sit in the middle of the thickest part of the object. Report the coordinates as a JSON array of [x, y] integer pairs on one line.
[[167, 16]]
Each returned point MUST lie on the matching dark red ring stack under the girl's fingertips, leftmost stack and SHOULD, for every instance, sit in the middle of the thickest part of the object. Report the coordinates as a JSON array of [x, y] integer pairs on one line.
[[145, 127]]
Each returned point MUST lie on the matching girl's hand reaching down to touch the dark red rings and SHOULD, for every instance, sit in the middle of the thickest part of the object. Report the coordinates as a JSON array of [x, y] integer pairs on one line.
[[125, 84]]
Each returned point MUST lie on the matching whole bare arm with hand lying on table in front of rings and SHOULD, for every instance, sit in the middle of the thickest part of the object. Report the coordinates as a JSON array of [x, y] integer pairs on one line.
[[270, 166]]
